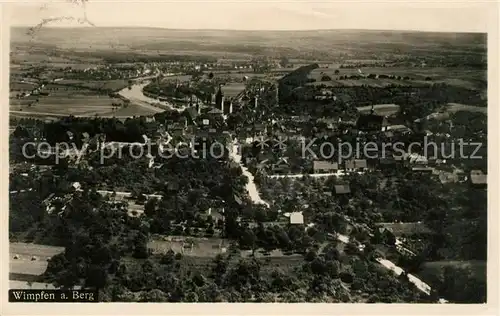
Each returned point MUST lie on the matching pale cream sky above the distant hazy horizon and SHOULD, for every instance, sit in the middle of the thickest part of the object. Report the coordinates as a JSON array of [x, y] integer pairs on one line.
[[445, 16]]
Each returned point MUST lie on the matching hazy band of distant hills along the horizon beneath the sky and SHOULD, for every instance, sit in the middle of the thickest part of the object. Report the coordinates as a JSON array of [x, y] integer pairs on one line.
[[316, 44]]
